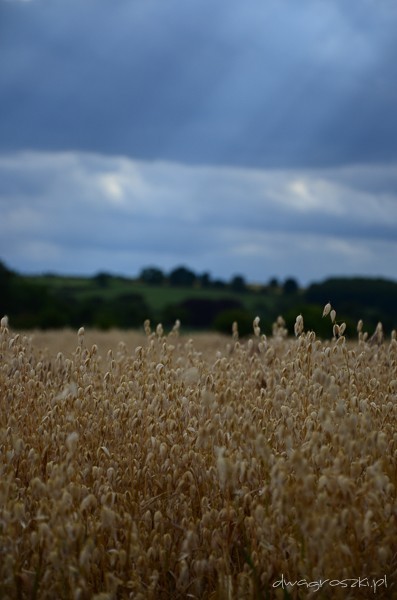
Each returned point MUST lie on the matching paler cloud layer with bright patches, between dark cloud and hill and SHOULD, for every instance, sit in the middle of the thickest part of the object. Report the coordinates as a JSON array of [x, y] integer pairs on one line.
[[81, 213]]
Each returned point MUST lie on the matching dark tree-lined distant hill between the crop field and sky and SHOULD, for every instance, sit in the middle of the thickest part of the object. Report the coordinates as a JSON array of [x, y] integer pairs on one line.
[[105, 301]]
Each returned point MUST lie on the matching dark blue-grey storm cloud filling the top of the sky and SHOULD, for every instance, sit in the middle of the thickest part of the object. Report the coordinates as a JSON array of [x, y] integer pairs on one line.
[[276, 84]]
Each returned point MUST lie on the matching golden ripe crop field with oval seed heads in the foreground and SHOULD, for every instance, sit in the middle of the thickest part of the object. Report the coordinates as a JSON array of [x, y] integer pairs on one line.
[[157, 466]]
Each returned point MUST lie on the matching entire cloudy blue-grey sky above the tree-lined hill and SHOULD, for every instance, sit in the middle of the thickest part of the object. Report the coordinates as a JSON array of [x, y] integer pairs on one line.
[[254, 138]]
